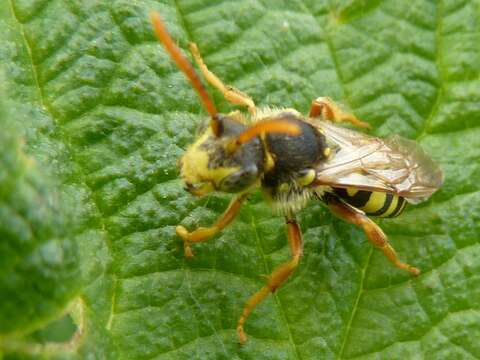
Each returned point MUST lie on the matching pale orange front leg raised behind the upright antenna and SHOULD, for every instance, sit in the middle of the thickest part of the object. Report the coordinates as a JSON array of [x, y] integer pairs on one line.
[[233, 95]]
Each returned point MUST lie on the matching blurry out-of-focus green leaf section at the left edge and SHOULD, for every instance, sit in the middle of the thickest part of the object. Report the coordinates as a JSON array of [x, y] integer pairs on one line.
[[38, 270]]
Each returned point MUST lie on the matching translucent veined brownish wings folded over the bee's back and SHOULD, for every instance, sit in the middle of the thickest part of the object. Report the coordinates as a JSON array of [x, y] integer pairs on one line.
[[365, 162]]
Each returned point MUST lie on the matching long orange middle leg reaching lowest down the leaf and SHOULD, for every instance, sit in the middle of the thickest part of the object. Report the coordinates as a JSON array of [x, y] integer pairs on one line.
[[277, 277]]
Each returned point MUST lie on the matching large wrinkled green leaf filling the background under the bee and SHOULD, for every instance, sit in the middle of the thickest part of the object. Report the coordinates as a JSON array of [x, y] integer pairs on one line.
[[90, 201]]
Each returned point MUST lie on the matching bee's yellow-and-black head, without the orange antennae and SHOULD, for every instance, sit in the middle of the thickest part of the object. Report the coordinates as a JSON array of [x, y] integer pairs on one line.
[[208, 164]]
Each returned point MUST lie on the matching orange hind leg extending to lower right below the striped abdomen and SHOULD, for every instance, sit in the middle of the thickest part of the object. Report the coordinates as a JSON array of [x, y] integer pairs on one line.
[[374, 233]]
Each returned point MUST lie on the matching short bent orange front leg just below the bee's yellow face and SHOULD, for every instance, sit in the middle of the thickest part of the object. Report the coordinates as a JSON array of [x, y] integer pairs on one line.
[[204, 233]]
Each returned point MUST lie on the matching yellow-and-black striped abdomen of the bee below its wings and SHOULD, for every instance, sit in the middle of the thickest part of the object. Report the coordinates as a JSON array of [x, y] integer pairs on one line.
[[373, 203]]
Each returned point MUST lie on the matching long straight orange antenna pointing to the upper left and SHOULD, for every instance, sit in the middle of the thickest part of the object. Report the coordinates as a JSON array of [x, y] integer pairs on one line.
[[185, 67]]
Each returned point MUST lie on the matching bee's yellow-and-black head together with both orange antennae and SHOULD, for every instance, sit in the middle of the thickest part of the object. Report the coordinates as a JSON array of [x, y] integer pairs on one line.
[[227, 156]]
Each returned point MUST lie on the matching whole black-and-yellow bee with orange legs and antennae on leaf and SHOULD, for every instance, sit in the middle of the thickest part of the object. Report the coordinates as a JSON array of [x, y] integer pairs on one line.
[[293, 158]]
